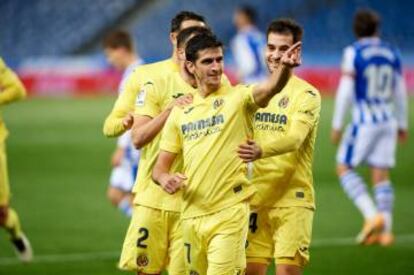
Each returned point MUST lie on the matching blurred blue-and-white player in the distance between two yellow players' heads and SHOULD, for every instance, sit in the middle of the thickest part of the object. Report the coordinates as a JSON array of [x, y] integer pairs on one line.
[[248, 46]]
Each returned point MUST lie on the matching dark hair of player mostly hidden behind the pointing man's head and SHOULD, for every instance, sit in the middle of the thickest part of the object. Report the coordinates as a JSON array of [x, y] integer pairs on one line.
[[201, 42]]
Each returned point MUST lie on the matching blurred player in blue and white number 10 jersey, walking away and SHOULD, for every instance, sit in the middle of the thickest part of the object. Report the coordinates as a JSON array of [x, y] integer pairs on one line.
[[372, 83]]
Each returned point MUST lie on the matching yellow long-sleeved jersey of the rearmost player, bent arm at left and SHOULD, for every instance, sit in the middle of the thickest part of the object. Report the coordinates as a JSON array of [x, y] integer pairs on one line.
[[125, 102]]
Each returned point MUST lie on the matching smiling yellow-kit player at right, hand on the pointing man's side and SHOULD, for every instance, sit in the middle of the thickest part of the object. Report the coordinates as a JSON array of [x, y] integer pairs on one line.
[[284, 137]]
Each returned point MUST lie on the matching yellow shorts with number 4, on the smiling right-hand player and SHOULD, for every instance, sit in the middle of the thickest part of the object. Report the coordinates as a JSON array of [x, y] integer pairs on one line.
[[281, 233]]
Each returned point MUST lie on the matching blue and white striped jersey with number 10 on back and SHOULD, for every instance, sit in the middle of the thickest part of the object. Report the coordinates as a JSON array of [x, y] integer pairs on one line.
[[377, 92]]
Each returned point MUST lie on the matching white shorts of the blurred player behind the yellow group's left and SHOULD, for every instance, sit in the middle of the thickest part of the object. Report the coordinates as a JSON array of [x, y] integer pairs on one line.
[[123, 176]]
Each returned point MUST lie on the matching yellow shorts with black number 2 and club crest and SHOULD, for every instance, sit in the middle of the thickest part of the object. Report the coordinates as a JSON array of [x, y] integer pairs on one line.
[[153, 242]]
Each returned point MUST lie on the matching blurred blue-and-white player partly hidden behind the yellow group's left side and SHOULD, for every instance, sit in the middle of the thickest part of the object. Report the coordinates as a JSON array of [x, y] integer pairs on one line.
[[120, 53]]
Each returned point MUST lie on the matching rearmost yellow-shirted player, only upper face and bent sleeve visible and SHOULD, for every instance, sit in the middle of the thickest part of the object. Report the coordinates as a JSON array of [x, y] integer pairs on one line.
[[121, 117]]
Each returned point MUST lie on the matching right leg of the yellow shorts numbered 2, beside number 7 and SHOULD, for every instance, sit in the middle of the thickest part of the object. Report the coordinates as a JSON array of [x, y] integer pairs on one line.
[[176, 263]]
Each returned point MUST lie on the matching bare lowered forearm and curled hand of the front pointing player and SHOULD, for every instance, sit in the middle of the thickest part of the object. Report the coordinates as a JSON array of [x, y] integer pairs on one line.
[[171, 183]]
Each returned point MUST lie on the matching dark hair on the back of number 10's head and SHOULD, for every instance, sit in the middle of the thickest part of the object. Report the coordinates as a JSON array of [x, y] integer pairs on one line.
[[366, 23]]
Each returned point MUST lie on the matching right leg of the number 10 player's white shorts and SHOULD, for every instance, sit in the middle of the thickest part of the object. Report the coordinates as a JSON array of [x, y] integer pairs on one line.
[[382, 156]]
